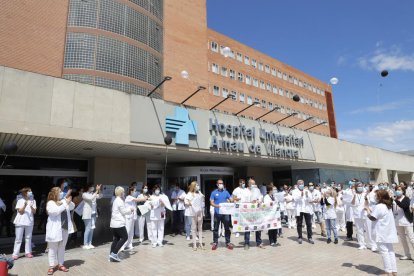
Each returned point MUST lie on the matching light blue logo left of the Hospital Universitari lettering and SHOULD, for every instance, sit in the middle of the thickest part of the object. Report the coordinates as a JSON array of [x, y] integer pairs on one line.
[[181, 125]]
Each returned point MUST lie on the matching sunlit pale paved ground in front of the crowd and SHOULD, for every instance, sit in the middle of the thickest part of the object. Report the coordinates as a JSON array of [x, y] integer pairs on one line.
[[178, 258]]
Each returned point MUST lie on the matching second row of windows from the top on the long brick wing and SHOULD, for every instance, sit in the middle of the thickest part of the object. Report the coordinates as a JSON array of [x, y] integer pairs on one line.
[[225, 72]]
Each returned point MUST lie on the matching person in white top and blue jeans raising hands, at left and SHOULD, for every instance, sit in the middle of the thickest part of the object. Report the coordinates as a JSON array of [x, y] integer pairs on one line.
[[89, 212]]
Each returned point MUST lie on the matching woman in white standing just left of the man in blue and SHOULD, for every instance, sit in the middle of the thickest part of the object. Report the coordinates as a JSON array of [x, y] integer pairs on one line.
[[194, 200]]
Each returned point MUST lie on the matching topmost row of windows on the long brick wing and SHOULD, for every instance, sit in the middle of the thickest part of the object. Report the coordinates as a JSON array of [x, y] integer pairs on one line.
[[266, 68]]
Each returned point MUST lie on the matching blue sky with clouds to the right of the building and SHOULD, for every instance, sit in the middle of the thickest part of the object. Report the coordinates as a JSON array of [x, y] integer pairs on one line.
[[352, 40]]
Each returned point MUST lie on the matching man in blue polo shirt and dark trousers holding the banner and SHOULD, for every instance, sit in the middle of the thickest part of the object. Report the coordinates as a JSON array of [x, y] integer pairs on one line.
[[220, 195]]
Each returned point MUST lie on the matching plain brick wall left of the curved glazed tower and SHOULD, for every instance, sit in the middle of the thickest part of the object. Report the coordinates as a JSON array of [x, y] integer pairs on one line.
[[32, 35]]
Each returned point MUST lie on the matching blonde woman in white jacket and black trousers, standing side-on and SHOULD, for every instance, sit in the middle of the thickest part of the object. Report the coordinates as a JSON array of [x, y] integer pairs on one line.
[[118, 222]]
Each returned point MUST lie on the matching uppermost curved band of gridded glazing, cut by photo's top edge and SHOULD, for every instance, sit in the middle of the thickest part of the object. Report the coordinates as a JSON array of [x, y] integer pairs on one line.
[[117, 18]]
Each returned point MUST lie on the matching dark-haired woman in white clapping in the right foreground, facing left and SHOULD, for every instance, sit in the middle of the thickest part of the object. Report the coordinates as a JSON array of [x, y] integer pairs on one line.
[[385, 230]]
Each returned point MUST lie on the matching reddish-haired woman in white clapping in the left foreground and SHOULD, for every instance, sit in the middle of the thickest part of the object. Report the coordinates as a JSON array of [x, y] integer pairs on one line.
[[58, 227]]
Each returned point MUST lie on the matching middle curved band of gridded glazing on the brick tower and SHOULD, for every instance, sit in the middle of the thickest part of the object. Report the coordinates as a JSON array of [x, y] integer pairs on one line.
[[87, 51]]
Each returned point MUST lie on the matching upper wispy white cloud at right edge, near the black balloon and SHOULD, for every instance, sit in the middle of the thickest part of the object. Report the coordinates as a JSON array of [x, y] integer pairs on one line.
[[390, 59]]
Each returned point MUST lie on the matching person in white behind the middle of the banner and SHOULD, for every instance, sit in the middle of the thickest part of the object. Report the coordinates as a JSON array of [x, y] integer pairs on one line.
[[252, 195]]
